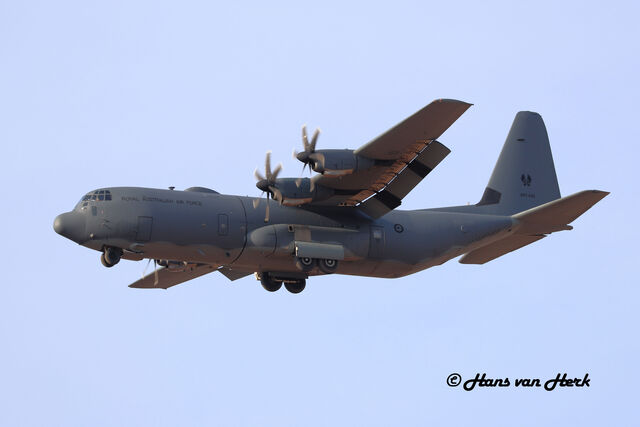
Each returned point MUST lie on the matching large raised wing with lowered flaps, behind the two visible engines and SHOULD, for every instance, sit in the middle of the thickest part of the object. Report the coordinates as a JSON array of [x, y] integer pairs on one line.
[[404, 155]]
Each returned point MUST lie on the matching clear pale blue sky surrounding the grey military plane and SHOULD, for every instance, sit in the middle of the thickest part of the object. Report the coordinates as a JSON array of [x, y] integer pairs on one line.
[[158, 94]]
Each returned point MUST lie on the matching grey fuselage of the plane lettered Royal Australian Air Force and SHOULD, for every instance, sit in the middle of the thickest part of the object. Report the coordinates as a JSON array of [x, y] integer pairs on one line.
[[226, 230]]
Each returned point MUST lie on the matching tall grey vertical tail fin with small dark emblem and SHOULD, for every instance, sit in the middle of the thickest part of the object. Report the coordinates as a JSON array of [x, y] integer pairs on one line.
[[524, 176]]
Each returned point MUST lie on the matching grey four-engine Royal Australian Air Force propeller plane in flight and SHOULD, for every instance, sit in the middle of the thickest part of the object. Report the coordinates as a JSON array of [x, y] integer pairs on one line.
[[342, 220]]
